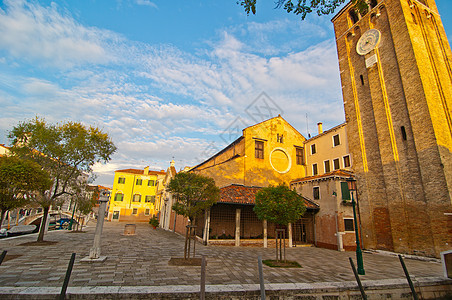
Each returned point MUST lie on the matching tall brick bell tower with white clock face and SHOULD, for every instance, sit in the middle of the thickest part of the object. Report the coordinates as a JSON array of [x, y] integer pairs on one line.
[[395, 63]]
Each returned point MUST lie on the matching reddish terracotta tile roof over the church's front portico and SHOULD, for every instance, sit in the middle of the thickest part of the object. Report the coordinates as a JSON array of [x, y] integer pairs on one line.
[[240, 194]]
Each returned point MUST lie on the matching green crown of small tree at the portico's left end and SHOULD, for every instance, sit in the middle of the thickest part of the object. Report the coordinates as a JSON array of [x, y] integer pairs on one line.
[[193, 193]]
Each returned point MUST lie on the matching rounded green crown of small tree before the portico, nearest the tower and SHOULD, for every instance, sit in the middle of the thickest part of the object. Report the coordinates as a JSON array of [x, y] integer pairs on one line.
[[279, 204]]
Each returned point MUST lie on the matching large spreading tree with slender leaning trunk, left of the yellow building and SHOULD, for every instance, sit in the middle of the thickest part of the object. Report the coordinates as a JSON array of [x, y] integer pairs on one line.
[[67, 151]]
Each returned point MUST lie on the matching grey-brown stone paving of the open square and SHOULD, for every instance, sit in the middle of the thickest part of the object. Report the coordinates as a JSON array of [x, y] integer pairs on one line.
[[142, 260]]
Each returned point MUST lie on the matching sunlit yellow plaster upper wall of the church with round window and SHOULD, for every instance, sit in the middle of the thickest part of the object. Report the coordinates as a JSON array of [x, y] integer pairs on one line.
[[239, 165]]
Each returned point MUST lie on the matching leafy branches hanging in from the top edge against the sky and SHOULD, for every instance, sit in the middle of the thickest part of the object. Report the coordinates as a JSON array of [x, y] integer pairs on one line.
[[305, 7]]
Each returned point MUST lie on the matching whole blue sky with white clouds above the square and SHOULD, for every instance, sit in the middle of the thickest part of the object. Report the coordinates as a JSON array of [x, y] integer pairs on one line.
[[166, 79]]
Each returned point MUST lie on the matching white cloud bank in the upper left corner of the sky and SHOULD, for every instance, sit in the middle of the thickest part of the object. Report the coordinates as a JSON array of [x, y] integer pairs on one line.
[[44, 34]]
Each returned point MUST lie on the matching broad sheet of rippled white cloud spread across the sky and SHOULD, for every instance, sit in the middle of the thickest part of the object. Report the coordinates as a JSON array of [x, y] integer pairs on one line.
[[159, 101]]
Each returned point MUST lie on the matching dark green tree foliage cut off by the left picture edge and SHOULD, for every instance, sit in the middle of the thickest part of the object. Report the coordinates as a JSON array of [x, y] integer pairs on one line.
[[19, 180]]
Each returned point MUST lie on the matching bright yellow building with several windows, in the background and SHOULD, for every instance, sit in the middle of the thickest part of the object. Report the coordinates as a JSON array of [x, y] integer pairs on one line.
[[133, 195]]
